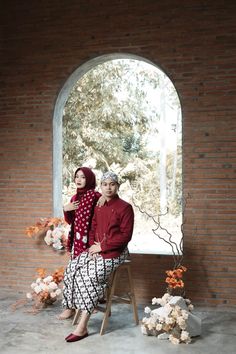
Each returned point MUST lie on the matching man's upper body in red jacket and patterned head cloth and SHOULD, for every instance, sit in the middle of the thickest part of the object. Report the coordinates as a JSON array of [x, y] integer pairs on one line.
[[112, 225]]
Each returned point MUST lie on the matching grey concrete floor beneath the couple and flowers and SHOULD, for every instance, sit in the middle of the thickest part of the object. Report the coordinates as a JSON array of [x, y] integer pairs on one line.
[[23, 333]]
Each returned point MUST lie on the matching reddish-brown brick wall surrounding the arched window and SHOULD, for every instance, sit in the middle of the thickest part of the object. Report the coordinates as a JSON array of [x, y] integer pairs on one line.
[[194, 42]]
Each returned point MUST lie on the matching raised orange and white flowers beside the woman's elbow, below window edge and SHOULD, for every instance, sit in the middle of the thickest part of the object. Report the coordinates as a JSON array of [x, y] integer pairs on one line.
[[54, 230]]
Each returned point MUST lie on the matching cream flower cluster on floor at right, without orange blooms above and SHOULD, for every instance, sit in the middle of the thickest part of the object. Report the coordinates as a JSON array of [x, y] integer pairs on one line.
[[170, 321]]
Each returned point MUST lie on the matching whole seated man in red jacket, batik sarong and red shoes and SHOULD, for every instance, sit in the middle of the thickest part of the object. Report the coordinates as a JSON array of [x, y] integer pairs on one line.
[[87, 275]]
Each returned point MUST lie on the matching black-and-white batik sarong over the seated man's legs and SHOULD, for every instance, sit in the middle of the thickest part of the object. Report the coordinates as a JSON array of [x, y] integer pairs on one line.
[[85, 280]]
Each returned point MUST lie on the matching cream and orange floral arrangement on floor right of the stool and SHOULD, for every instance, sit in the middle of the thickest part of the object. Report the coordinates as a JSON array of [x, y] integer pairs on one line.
[[173, 318]]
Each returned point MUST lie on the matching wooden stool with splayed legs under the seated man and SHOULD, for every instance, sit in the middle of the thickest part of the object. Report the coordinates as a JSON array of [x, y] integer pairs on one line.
[[110, 296]]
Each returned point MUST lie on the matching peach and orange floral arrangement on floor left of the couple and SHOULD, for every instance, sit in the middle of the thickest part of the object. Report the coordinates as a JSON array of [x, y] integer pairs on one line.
[[45, 289]]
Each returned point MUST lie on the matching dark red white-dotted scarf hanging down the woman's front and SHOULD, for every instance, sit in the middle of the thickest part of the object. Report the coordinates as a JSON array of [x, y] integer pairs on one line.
[[82, 222]]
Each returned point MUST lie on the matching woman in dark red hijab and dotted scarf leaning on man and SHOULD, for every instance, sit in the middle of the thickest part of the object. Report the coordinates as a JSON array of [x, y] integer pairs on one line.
[[78, 213]]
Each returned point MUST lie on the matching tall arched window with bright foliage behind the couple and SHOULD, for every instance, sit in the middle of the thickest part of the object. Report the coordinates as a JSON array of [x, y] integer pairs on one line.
[[127, 118]]
